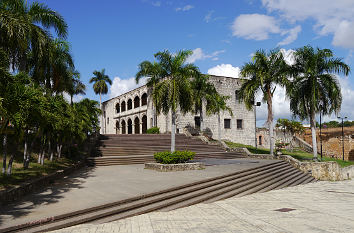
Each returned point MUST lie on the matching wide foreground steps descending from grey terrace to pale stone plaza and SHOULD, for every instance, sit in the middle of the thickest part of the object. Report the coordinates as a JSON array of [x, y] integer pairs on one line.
[[275, 175]]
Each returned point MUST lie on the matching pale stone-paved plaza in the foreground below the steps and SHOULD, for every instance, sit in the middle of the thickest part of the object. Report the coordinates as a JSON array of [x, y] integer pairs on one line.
[[315, 207]]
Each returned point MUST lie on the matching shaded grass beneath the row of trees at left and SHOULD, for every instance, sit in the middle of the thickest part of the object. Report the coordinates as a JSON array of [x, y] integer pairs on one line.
[[35, 170]]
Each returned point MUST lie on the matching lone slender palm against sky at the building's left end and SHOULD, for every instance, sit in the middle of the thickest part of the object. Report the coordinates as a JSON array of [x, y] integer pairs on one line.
[[100, 86]]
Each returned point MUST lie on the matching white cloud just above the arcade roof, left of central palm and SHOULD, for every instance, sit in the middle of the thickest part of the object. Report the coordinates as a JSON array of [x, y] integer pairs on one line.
[[121, 86]]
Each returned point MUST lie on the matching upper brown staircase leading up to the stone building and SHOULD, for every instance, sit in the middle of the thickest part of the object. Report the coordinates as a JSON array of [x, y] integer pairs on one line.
[[139, 148]]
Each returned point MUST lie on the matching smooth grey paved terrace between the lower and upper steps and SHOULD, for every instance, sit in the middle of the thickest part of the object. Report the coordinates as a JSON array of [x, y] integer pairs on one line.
[[91, 187]]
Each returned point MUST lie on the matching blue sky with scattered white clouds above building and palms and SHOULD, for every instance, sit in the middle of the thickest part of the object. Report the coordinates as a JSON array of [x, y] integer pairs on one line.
[[119, 34]]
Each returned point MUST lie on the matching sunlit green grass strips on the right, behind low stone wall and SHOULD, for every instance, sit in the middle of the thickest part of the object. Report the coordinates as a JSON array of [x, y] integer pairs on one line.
[[297, 154]]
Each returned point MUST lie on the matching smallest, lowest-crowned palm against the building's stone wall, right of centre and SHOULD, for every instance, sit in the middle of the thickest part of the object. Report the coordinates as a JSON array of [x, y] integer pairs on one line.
[[216, 104]]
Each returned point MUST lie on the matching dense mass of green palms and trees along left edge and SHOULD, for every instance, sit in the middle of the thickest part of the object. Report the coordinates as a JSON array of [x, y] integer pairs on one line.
[[36, 72]]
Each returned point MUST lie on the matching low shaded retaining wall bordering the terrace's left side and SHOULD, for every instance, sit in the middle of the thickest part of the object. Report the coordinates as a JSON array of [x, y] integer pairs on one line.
[[13, 194]]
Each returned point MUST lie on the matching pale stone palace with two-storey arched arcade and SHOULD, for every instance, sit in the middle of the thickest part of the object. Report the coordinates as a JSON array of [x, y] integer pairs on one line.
[[132, 113]]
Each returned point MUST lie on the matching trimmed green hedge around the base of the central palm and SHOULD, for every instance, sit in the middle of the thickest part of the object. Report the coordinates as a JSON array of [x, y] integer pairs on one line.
[[166, 157]]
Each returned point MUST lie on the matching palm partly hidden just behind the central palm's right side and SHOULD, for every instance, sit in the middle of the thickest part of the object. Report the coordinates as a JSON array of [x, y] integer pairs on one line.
[[202, 90]]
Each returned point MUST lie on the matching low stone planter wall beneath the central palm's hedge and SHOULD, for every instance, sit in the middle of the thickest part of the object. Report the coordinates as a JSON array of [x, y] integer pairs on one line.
[[174, 167]]
